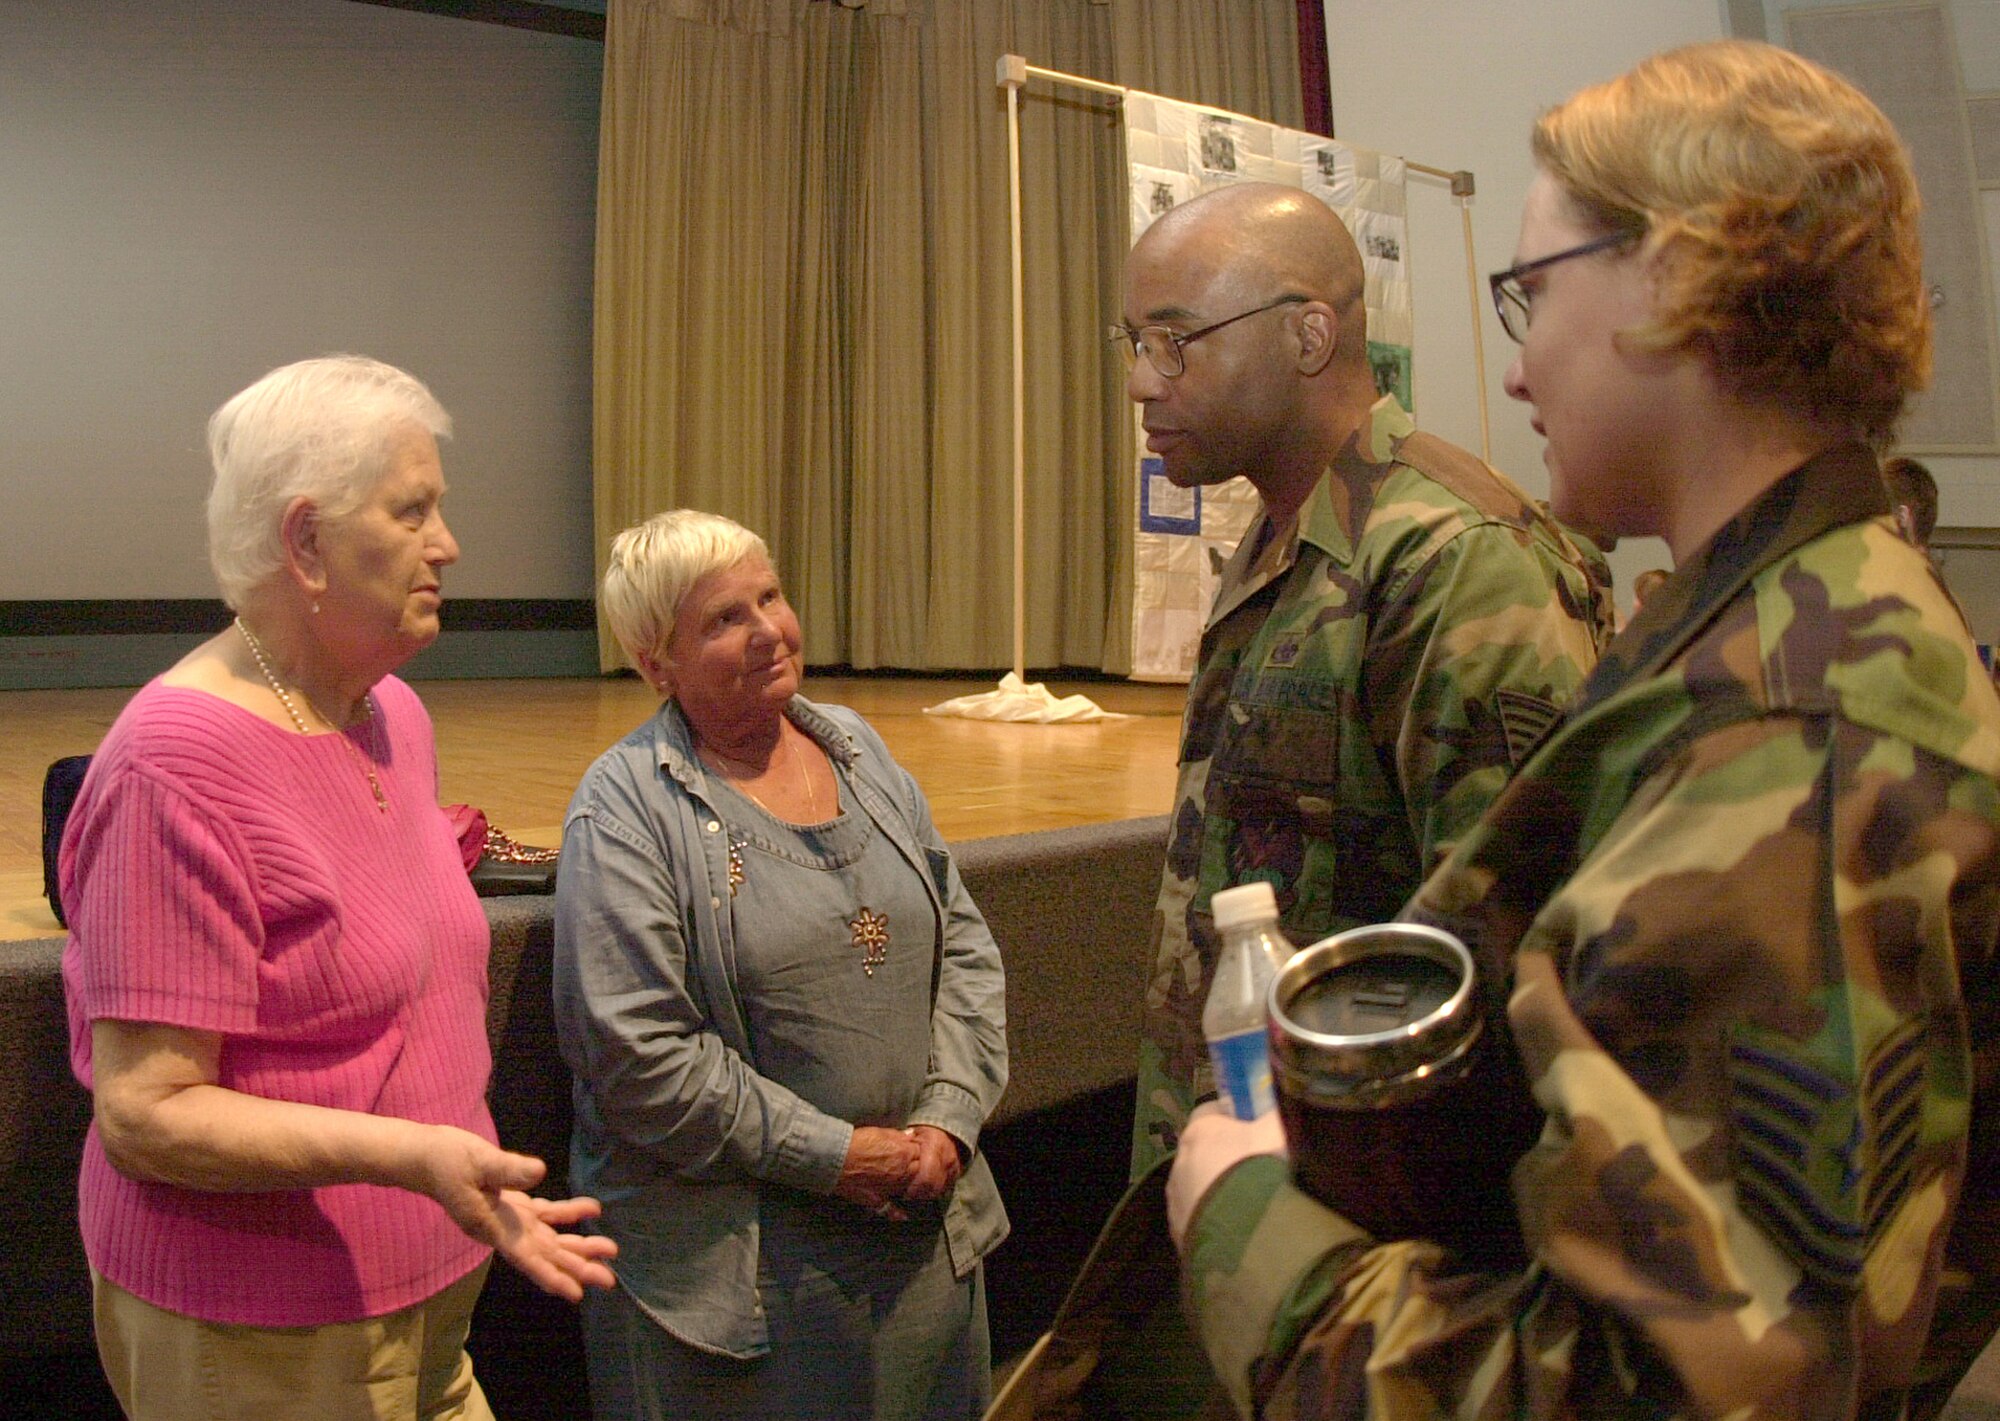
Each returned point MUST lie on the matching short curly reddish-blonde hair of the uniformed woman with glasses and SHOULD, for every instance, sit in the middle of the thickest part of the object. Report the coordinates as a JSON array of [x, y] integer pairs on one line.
[[1781, 211]]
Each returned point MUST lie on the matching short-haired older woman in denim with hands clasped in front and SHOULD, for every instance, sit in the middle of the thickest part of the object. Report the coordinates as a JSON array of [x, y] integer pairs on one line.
[[787, 1026]]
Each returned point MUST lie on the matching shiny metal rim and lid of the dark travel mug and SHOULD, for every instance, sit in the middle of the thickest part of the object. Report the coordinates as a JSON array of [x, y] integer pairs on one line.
[[1373, 1006]]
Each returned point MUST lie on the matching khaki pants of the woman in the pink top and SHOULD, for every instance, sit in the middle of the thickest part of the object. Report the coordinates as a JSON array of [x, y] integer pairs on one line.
[[407, 1366]]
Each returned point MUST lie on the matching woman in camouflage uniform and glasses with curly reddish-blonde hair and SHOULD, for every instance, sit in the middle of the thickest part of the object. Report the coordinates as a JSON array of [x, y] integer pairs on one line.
[[1739, 910]]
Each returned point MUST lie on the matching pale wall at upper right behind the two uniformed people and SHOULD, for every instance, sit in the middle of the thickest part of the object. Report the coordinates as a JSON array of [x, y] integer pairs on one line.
[[1457, 85]]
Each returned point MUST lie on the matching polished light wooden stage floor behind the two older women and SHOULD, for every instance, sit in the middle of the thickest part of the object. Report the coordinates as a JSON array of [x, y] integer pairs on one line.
[[519, 748]]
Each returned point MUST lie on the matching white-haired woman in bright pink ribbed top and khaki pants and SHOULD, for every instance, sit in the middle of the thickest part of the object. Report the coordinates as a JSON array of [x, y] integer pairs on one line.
[[277, 968]]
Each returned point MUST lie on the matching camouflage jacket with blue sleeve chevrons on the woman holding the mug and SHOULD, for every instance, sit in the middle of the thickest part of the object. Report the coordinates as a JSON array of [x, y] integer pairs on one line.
[[1739, 916]]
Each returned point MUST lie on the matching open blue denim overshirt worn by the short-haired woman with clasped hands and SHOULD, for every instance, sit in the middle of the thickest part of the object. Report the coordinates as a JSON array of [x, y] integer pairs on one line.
[[675, 1126]]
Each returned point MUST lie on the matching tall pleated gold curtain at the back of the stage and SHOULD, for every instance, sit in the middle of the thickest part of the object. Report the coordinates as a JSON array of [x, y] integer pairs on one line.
[[803, 313]]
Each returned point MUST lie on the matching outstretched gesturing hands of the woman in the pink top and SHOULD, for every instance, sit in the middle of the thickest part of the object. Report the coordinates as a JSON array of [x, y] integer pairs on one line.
[[483, 1188]]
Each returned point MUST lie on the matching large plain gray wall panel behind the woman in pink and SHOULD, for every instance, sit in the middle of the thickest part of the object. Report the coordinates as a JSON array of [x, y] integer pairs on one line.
[[195, 191]]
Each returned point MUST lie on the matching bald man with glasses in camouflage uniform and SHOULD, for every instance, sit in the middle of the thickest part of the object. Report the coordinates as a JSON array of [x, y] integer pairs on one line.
[[1395, 631]]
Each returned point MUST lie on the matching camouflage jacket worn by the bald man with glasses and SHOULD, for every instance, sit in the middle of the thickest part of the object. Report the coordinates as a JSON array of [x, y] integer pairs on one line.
[[1357, 707]]
